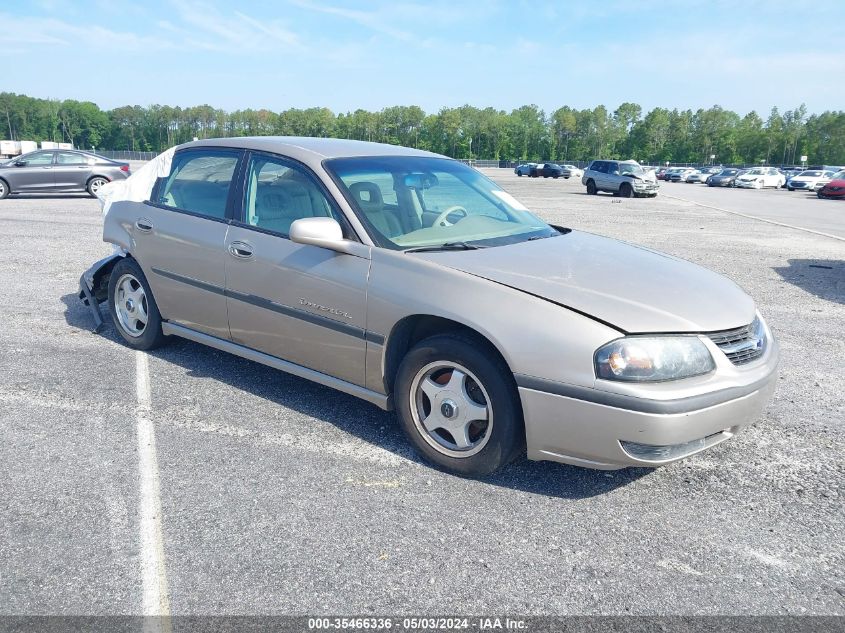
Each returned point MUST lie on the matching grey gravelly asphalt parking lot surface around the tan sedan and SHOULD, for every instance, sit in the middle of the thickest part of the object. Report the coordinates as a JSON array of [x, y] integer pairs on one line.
[[280, 496]]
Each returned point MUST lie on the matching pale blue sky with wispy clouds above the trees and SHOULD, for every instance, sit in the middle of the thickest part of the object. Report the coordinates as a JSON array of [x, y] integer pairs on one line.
[[747, 55]]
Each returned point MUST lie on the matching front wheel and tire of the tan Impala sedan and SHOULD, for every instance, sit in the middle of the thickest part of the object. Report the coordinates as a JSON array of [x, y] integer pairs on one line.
[[463, 375]]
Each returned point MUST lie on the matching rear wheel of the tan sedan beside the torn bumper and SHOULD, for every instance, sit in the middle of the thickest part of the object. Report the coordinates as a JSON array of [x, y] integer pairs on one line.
[[127, 284]]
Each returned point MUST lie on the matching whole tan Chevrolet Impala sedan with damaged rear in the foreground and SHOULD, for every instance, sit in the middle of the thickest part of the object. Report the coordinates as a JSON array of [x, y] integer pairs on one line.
[[414, 282]]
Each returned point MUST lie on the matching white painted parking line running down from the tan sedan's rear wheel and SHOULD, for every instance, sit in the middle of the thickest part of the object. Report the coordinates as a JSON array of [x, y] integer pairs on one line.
[[156, 601]]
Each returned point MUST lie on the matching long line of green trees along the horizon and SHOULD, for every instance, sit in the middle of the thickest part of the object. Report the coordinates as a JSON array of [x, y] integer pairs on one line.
[[526, 133]]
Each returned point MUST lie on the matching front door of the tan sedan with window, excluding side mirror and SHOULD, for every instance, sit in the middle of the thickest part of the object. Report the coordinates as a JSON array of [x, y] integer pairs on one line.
[[300, 303]]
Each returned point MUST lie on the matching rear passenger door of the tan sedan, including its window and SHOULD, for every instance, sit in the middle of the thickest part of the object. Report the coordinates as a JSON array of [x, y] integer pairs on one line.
[[180, 238]]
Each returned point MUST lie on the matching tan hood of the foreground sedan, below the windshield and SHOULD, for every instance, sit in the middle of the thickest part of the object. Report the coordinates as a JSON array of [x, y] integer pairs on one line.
[[629, 287]]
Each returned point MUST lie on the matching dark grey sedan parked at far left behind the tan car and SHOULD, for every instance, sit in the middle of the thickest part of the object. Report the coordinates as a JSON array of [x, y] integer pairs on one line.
[[59, 171]]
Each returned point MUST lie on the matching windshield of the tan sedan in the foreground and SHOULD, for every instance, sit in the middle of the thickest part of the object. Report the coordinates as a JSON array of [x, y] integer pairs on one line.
[[418, 201]]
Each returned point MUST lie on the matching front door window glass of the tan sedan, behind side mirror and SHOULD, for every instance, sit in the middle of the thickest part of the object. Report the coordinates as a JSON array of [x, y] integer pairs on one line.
[[278, 194]]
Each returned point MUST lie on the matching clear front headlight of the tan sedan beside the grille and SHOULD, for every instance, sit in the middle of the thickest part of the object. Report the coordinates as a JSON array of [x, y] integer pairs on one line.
[[653, 358]]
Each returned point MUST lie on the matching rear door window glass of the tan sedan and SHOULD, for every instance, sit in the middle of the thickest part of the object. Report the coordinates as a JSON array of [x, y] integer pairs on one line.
[[200, 182]]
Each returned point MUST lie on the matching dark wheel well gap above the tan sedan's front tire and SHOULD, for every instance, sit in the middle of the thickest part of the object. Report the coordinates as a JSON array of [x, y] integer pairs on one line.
[[413, 329]]
